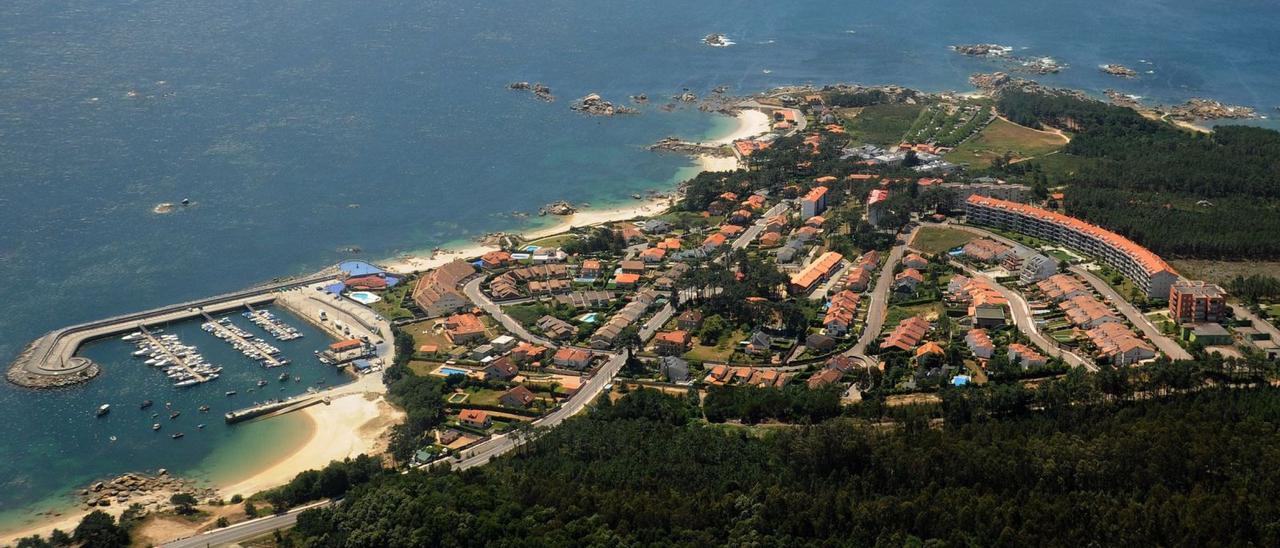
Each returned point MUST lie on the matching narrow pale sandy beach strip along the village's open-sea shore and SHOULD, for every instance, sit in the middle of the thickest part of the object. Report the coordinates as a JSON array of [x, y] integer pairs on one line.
[[751, 124]]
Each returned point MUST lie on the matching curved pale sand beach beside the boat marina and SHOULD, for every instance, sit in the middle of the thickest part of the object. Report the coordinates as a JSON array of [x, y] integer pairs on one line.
[[348, 427]]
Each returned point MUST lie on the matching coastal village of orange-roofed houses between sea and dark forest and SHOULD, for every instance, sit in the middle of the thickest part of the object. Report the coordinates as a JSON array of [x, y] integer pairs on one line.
[[843, 258]]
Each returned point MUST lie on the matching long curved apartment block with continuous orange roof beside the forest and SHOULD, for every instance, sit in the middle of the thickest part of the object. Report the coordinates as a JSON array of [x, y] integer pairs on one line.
[[1145, 268]]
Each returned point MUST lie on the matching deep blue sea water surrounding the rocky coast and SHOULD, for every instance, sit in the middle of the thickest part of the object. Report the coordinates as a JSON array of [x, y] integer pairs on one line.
[[301, 129]]
